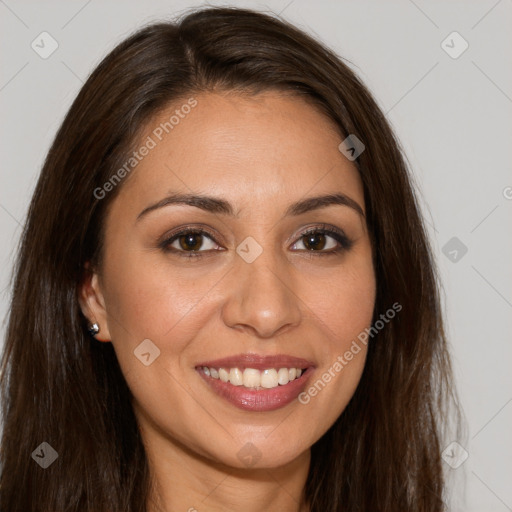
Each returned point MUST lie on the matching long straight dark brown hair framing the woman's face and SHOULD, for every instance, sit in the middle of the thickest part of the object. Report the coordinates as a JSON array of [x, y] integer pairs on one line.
[[62, 387]]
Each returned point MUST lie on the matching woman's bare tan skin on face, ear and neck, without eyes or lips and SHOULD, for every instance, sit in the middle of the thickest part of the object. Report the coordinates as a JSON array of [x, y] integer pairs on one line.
[[261, 153]]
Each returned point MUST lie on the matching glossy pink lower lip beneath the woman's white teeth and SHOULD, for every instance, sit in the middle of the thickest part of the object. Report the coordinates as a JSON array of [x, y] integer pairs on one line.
[[262, 400]]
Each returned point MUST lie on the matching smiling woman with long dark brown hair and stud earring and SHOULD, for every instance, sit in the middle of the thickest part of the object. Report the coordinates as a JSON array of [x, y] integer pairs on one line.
[[224, 298]]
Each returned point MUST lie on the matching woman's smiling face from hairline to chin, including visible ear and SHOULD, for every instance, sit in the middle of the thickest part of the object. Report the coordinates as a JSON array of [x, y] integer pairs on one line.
[[227, 291]]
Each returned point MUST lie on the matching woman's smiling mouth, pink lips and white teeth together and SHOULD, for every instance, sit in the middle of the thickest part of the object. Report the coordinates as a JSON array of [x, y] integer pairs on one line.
[[257, 383]]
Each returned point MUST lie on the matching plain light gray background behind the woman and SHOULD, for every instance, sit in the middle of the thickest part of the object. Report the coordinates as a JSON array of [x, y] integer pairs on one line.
[[452, 116]]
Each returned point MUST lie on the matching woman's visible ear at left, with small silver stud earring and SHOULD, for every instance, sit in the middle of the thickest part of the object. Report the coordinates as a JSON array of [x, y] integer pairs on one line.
[[92, 303]]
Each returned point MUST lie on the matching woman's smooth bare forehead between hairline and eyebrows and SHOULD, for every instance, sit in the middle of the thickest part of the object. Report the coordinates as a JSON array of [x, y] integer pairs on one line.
[[257, 150]]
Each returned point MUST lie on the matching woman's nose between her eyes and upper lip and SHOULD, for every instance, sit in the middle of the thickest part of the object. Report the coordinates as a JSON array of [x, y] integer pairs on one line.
[[261, 298]]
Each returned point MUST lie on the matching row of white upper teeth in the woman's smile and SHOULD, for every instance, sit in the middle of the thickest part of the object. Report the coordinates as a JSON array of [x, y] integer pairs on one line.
[[254, 379]]
